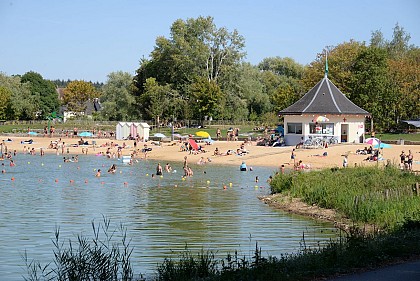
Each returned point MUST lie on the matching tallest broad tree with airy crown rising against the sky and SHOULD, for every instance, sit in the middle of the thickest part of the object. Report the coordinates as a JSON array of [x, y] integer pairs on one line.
[[196, 50]]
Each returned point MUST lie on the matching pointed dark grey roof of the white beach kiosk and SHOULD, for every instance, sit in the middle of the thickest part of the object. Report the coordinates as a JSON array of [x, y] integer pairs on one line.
[[324, 98]]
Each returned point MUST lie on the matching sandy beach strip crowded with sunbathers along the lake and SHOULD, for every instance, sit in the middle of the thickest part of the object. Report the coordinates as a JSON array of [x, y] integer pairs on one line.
[[272, 157]]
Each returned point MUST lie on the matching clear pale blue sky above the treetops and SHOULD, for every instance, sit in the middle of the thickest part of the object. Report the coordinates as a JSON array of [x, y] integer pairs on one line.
[[89, 39]]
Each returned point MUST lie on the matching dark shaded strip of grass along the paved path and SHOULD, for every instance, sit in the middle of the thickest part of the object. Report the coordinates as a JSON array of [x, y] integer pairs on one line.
[[342, 256]]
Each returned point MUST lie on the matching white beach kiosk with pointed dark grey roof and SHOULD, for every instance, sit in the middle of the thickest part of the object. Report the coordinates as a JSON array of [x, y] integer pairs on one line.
[[324, 112]]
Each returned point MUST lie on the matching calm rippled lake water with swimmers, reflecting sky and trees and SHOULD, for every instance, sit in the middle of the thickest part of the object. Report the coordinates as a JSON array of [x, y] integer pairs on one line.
[[162, 215]]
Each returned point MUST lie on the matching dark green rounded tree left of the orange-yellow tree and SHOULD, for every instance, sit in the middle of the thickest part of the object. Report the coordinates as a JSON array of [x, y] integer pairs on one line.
[[44, 94]]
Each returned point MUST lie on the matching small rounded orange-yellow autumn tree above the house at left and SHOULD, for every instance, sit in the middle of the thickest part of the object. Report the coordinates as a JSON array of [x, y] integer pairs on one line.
[[77, 94]]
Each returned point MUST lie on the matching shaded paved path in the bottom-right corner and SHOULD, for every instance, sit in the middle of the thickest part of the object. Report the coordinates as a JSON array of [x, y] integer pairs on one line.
[[408, 271]]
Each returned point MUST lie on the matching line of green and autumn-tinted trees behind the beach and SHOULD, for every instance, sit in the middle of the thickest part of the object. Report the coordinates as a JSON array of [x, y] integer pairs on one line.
[[200, 71]]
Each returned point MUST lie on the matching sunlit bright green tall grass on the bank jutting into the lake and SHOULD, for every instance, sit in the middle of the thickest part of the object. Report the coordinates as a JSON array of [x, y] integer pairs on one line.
[[379, 196]]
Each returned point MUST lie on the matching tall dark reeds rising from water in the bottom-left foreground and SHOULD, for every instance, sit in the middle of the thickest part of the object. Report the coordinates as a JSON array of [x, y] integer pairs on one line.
[[96, 258]]
